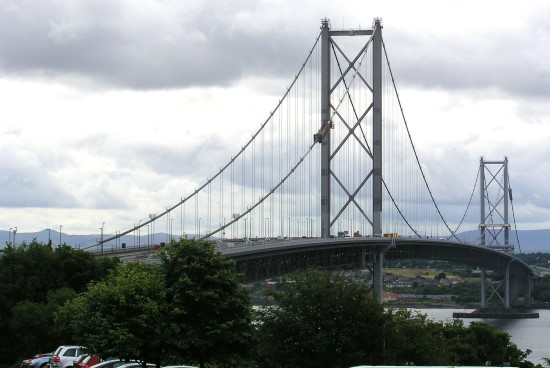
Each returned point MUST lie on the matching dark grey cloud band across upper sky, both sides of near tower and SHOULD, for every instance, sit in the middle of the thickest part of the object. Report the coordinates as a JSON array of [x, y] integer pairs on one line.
[[175, 45]]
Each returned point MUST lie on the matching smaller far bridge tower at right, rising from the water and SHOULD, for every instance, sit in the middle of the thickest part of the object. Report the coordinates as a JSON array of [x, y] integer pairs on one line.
[[494, 227]]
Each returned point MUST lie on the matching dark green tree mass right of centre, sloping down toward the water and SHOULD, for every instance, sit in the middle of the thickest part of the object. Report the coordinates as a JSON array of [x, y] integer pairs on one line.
[[324, 320]]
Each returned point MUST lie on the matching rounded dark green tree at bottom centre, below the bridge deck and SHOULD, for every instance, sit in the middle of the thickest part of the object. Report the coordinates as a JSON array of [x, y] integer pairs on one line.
[[321, 319]]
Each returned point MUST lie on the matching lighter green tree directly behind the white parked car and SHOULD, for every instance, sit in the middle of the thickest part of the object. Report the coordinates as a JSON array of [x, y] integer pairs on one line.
[[124, 315]]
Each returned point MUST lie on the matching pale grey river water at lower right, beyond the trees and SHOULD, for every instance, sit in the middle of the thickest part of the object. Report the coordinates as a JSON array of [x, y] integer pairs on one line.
[[529, 333]]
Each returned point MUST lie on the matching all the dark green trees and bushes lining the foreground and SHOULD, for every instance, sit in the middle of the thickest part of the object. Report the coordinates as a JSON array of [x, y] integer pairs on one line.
[[191, 308]]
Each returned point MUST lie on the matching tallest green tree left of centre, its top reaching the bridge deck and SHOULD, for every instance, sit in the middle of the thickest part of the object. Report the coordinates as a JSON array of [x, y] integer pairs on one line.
[[209, 308]]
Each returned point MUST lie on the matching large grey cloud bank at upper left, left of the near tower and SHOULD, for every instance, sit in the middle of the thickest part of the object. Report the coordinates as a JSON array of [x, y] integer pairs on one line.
[[99, 42]]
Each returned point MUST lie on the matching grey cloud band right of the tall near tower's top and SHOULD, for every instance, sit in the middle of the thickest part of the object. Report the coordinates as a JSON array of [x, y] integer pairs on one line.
[[507, 61]]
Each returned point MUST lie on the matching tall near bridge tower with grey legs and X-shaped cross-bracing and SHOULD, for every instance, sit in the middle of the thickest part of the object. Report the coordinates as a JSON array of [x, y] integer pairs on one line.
[[324, 135]]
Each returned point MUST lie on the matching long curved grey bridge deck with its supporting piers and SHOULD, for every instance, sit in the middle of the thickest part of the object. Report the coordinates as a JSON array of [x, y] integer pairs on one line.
[[264, 258]]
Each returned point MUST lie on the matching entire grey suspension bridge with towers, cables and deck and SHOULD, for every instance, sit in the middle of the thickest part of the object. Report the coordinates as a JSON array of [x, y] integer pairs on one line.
[[332, 178]]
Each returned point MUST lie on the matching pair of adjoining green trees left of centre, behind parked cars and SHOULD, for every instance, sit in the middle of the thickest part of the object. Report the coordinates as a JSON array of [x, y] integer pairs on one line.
[[191, 308]]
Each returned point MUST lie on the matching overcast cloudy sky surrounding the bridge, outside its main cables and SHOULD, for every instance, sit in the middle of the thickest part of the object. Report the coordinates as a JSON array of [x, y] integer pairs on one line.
[[97, 96]]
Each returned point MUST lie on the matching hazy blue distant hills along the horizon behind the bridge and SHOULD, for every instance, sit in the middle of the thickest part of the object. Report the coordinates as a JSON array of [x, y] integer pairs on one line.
[[530, 241]]
